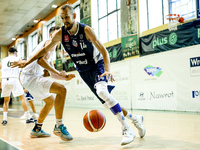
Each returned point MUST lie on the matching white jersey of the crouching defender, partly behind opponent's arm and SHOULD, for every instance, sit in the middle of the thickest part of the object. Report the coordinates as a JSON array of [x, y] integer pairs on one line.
[[34, 68]]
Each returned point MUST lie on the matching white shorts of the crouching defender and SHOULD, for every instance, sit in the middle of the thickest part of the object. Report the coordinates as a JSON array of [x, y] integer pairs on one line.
[[38, 86]]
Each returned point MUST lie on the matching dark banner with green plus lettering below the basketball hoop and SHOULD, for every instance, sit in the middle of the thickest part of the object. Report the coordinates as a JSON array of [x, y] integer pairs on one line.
[[188, 34]]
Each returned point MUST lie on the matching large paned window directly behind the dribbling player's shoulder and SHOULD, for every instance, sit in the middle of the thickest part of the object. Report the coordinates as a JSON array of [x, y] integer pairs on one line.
[[108, 20]]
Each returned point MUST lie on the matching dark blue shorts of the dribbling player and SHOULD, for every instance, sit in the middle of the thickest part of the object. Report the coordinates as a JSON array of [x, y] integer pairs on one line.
[[92, 76]]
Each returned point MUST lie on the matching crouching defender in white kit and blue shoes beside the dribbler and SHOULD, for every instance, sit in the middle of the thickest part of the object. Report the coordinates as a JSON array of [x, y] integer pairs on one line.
[[42, 88]]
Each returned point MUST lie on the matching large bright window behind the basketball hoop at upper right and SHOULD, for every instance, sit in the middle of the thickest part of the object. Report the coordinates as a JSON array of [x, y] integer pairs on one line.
[[153, 12]]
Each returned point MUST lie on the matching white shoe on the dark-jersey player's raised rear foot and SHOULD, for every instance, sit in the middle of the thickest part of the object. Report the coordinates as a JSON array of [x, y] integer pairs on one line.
[[139, 125]]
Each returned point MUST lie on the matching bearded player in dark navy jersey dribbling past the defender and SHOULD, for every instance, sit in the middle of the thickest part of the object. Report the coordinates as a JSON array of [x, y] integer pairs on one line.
[[93, 64]]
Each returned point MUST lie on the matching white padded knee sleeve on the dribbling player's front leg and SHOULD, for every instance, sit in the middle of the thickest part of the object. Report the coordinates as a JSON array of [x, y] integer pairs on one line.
[[103, 93]]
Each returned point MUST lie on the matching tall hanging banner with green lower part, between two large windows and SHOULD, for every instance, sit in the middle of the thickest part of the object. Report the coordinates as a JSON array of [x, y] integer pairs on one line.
[[129, 28]]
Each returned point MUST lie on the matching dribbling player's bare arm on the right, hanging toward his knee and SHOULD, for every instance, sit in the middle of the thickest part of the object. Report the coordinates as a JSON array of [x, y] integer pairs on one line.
[[90, 35]]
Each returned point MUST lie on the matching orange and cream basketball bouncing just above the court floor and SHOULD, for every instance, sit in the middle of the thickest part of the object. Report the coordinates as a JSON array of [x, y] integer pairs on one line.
[[94, 121]]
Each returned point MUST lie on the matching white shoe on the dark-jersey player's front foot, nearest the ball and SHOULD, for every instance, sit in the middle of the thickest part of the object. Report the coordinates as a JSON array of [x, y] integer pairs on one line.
[[127, 136]]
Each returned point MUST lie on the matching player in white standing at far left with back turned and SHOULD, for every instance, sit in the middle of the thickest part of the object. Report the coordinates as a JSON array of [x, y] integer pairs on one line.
[[10, 83]]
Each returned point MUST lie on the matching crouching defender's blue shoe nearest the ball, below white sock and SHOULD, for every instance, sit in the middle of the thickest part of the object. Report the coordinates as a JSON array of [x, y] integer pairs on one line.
[[62, 132]]
